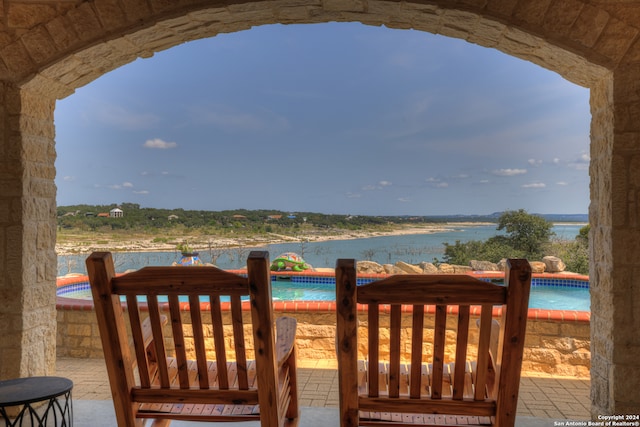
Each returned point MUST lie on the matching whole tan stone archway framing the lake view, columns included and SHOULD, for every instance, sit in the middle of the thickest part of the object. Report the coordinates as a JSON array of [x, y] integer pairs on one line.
[[48, 52]]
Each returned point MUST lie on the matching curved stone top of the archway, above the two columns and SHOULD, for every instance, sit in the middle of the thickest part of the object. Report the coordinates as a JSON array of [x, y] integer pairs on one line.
[[54, 47]]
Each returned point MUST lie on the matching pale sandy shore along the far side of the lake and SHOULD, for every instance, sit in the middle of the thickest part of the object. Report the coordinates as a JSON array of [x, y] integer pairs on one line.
[[205, 242]]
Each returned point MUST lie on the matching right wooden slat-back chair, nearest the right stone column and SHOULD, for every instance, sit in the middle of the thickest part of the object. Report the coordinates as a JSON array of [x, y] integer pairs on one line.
[[471, 383]]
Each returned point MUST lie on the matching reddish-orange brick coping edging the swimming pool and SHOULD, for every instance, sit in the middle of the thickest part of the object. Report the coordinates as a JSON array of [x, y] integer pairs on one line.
[[63, 303]]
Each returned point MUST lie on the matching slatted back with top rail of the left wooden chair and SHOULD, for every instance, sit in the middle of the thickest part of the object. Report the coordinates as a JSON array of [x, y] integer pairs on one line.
[[170, 294]]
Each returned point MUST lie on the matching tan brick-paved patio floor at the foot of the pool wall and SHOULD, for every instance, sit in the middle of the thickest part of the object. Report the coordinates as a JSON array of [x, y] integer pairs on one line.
[[540, 397]]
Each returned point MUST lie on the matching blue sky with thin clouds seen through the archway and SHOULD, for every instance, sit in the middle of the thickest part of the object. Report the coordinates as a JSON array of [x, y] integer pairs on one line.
[[336, 118]]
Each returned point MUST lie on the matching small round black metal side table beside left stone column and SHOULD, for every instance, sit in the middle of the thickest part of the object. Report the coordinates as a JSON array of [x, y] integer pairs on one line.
[[54, 392]]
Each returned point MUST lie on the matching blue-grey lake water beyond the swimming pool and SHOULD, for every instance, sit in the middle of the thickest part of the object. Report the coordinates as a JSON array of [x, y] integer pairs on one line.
[[412, 248]]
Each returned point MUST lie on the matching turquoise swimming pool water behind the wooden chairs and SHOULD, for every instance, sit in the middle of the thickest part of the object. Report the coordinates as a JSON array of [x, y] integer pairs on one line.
[[547, 293]]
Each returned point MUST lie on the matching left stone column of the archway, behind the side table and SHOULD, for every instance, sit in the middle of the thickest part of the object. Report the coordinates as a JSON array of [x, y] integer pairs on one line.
[[27, 233]]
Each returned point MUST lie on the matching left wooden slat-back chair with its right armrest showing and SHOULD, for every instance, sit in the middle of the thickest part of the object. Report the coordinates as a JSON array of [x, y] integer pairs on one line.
[[176, 372]]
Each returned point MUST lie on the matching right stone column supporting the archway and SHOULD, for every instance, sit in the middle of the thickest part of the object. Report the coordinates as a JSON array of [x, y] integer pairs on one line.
[[615, 243]]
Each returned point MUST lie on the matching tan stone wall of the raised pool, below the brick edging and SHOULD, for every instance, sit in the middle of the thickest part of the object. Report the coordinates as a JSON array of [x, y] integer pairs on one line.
[[553, 347]]
